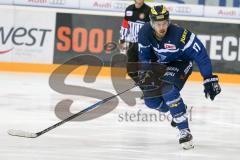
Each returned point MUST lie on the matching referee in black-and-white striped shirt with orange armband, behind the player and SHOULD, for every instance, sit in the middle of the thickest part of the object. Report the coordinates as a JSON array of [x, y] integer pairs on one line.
[[136, 15]]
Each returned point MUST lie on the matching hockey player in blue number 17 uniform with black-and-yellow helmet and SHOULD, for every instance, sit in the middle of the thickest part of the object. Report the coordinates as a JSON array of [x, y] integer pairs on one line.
[[176, 48]]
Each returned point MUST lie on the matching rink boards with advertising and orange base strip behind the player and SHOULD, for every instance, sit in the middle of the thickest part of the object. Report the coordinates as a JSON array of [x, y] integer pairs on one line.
[[52, 37]]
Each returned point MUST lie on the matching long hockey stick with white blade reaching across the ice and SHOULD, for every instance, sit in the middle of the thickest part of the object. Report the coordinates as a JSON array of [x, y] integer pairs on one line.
[[26, 134]]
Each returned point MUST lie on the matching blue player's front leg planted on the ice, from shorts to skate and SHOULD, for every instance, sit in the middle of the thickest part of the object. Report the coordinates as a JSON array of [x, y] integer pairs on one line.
[[178, 73]]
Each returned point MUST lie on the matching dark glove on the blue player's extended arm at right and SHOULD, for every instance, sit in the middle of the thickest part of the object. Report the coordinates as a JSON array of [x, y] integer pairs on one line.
[[211, 87]]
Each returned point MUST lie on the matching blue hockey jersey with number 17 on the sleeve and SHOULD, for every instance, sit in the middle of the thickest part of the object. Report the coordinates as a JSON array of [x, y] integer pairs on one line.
[[178, 44]]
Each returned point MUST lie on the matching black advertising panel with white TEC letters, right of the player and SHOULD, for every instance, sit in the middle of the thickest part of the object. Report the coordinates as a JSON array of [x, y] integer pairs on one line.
[[222, 42]]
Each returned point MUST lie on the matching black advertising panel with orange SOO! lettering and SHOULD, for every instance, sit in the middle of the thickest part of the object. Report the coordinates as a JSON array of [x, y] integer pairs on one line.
[[85, 34]]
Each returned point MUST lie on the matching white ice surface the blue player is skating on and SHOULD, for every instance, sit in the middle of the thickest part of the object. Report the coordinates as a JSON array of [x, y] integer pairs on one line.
[[27, 102]]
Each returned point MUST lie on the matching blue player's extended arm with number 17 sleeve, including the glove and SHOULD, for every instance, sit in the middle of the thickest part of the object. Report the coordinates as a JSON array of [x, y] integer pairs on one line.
[[194, 49]]
